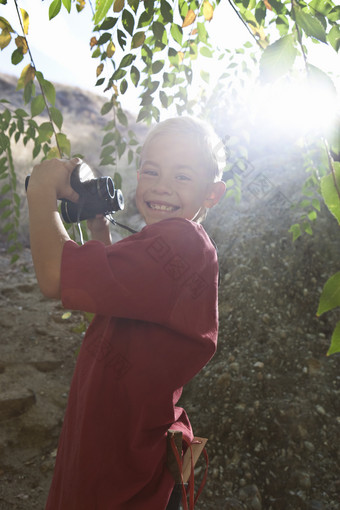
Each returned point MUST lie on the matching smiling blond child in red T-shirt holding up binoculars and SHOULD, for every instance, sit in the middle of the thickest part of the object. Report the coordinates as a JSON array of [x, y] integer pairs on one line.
[[155, 299]]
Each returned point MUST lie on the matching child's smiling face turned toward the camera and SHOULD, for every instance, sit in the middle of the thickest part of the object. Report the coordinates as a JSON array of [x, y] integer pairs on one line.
[[172, 181]]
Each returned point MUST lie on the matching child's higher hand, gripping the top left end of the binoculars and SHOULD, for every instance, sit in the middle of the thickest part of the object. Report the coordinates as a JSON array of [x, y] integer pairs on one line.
[[54, 175]]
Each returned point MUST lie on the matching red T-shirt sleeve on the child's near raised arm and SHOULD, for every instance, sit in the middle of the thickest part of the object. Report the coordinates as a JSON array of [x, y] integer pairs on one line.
[[166, 274]]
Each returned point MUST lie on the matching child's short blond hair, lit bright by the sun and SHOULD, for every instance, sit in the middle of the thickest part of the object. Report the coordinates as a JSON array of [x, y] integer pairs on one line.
[[202, 134]]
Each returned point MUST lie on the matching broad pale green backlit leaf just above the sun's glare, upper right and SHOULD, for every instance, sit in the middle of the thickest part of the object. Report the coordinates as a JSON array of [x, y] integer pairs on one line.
[[277, 59]]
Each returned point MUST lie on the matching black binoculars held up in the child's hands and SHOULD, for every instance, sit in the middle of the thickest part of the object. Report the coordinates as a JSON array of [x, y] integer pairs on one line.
[[96, 196]]
